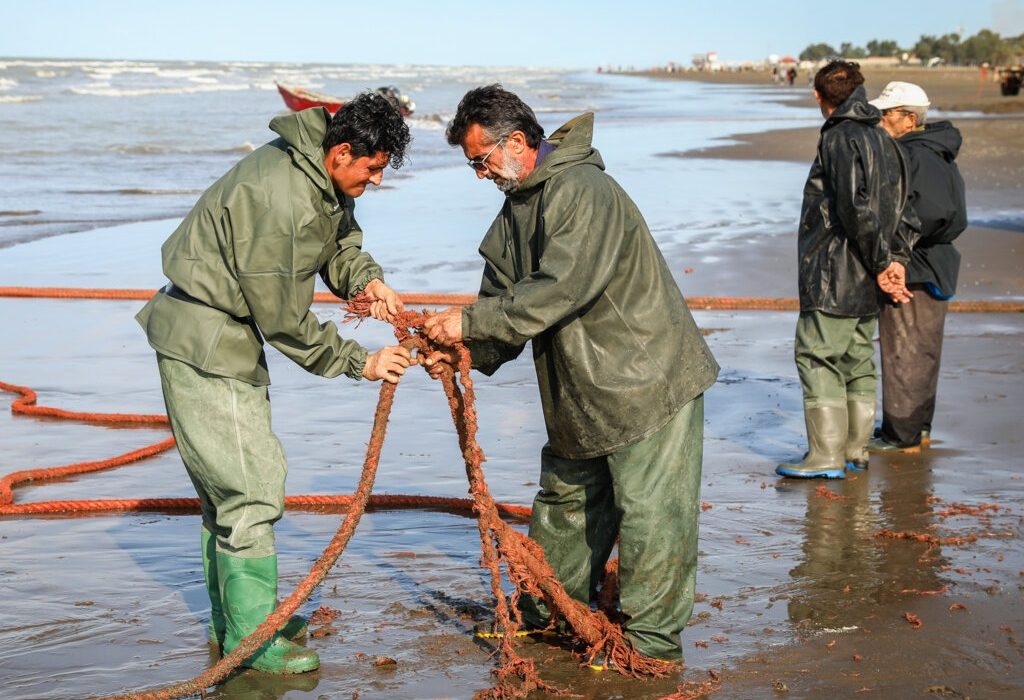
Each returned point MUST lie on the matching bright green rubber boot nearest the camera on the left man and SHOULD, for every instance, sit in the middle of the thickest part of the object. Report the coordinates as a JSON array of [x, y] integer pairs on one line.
[[249, 594]]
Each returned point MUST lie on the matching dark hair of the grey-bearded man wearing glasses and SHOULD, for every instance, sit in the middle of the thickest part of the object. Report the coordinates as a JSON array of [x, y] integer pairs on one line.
[[498, 112]]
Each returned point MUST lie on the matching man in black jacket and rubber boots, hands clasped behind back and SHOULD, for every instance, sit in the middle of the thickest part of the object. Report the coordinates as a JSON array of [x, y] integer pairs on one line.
[[848, 248]]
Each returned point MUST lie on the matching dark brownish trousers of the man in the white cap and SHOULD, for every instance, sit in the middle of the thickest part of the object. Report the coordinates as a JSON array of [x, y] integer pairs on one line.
[[911, 338]]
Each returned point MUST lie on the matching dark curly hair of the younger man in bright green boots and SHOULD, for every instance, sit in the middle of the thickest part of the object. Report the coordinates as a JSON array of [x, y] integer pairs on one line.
[[370, 124]]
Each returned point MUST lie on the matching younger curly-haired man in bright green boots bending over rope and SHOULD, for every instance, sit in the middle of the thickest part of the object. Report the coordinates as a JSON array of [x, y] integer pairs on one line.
[[242, 268]]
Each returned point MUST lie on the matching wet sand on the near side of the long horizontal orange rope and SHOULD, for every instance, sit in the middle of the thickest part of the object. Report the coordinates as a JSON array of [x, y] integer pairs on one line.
[[112, 602]]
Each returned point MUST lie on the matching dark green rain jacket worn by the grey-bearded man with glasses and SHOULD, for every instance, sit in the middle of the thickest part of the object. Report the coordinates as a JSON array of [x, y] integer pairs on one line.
[[572, 266]]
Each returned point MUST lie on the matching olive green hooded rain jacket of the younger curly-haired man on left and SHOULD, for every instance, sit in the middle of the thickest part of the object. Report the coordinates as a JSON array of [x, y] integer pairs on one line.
[[243, 265]]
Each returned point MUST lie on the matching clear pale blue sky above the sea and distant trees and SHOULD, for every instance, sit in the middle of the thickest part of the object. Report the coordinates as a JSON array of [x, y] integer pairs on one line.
[[557, 33]]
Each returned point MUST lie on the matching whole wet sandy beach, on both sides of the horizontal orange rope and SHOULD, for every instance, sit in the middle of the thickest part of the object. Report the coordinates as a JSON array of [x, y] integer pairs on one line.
[[801, 594]]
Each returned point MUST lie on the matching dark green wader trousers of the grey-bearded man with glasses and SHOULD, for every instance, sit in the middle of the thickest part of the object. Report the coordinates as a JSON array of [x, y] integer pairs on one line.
[[648, 495]]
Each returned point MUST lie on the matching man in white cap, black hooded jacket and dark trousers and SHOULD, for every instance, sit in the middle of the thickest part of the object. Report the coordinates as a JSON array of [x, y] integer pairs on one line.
[[912, 334]]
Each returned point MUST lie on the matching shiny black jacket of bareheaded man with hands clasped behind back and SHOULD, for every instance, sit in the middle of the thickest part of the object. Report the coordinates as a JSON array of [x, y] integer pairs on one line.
[[854, 205]]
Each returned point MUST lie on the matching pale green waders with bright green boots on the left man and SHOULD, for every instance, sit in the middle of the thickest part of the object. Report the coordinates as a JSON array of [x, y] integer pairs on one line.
[[223, 430]]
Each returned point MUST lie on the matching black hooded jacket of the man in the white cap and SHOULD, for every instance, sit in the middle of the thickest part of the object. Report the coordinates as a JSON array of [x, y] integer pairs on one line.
[[937, 197]]
